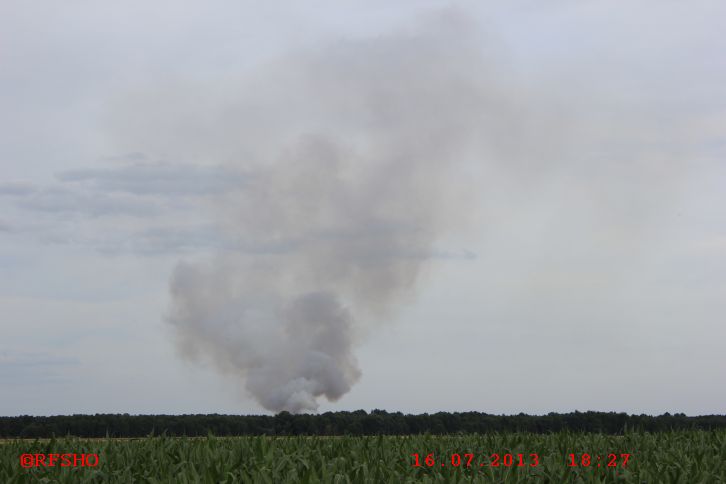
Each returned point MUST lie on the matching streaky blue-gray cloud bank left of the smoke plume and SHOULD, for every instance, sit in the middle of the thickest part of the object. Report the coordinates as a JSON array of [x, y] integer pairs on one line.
[[144, 208]]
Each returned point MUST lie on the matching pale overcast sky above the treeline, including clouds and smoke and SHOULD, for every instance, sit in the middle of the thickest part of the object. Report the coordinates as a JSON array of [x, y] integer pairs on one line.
[[499, 206]]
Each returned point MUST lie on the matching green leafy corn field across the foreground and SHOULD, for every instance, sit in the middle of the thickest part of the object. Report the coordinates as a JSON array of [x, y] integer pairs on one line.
[[677, 457]]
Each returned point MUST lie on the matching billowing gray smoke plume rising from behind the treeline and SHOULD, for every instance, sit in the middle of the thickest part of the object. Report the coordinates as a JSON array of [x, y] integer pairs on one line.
[[353, 158]]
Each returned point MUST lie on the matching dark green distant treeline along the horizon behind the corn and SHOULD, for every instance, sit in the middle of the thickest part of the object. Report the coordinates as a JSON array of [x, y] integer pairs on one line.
[[345, 423]]
